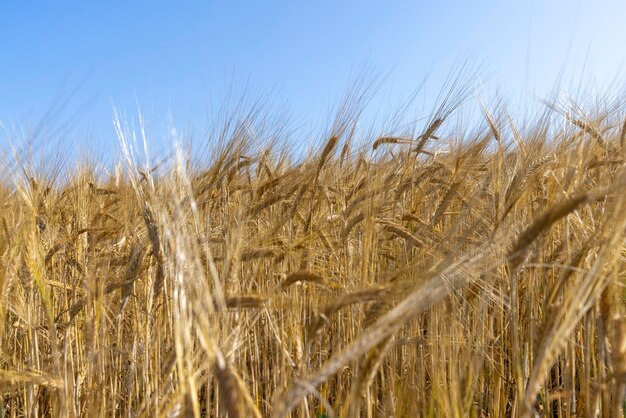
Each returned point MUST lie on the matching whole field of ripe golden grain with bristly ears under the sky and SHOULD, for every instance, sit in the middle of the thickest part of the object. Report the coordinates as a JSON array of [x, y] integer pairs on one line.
[[447, 273]]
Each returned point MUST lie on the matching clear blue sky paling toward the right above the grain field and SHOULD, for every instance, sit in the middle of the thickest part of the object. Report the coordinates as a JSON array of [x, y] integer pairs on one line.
[[66, 64]]
